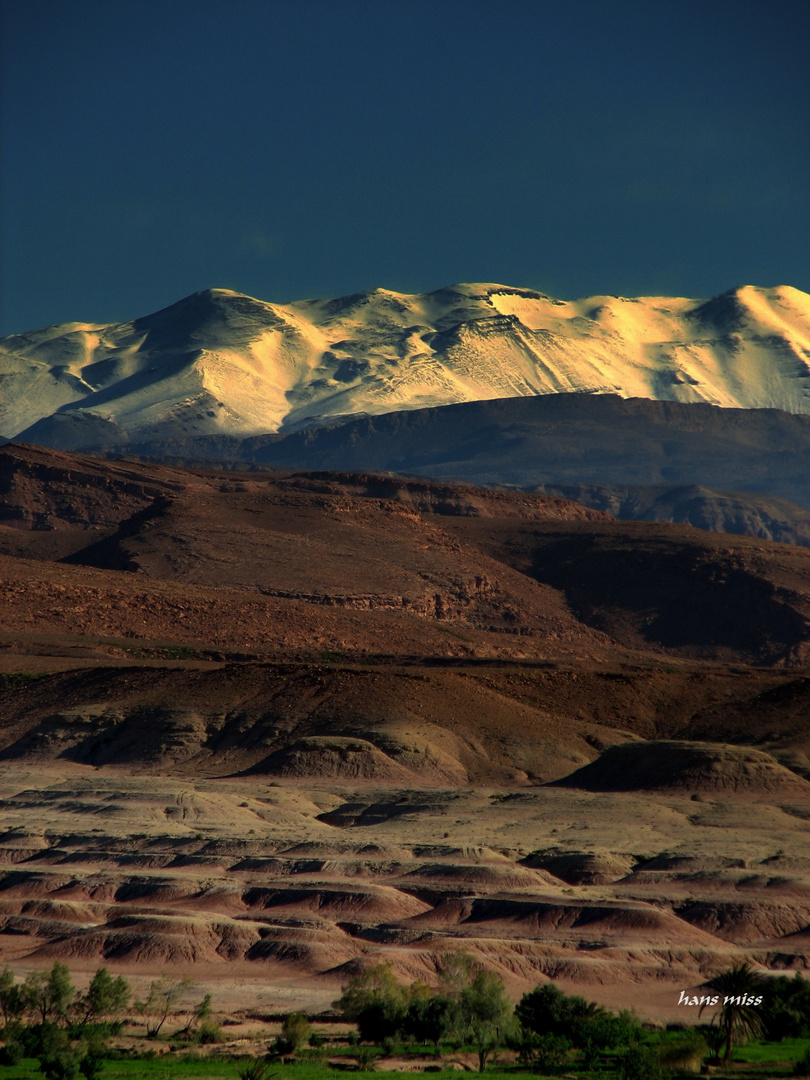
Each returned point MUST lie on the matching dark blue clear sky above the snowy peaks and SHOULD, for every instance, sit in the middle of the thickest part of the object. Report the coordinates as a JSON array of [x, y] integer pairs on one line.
[[299, 148]]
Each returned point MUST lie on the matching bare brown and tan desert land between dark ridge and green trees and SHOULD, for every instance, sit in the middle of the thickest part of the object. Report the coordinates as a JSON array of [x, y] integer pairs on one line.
[[267, 728]]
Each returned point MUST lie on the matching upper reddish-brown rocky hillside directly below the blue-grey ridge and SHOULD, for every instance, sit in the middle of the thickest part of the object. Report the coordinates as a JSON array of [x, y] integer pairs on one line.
[[538, 573]]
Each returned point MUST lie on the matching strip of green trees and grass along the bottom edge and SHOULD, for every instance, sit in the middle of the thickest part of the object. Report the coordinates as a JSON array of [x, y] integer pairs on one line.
[[51, 1030]]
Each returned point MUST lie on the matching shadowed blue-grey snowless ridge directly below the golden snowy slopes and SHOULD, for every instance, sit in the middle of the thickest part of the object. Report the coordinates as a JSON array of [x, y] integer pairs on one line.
[[555, 439]]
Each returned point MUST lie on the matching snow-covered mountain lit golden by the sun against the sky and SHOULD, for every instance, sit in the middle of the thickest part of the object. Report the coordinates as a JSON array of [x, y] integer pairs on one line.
[[223, 363]]
